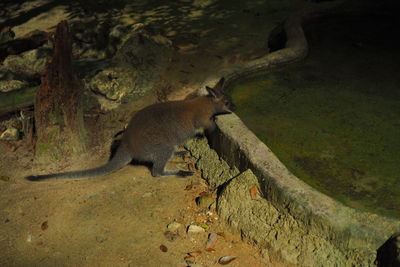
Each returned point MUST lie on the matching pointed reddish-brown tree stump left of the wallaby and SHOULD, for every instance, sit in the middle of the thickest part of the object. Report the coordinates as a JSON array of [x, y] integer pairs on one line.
[[58, 104]]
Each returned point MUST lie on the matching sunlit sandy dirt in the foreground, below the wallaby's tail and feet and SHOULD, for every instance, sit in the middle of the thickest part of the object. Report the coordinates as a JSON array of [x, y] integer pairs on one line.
[[115, 220]]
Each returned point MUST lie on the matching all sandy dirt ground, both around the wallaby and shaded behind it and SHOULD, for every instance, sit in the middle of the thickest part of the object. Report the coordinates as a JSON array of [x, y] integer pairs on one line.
[[121, 219]]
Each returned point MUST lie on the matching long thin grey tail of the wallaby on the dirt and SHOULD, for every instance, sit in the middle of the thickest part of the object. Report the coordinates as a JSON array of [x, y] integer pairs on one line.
[[122, 157]]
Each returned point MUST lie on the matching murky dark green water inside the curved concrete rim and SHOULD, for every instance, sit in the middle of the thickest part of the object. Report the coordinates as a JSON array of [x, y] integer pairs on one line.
[[334, 118]]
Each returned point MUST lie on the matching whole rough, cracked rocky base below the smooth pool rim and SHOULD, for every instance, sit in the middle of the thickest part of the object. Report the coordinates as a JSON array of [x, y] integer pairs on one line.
[[259, 220]]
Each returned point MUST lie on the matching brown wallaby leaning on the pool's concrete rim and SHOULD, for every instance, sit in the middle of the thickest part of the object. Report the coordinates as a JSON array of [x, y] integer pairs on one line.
[[156, 131]]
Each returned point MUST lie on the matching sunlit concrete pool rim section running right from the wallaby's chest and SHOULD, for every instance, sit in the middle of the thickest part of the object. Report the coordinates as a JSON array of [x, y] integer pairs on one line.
[[347, 228]]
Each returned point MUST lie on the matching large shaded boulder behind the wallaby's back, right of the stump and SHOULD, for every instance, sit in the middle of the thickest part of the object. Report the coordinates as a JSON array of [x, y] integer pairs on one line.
[[136, 68]]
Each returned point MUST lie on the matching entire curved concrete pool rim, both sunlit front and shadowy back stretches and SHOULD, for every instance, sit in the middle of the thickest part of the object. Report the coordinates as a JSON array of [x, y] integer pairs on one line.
[[347, 228]]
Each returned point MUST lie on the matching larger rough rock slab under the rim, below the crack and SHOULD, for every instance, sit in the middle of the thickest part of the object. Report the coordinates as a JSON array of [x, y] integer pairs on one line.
[[258, 220]]
